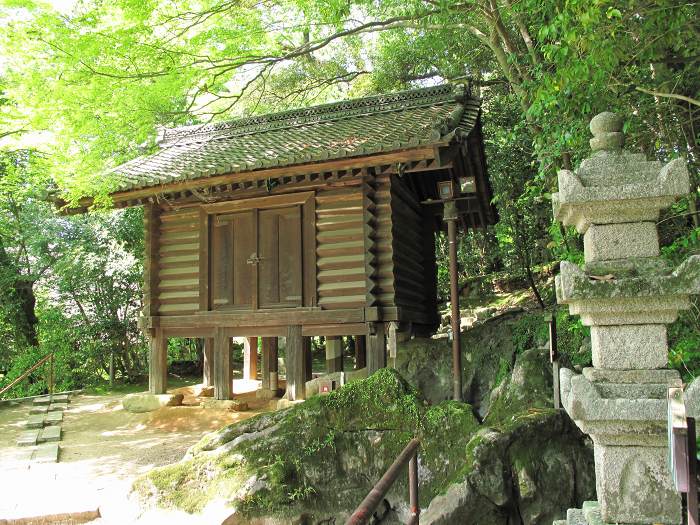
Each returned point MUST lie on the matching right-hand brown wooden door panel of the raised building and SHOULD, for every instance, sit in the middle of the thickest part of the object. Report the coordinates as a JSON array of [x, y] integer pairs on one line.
[[279, 270]]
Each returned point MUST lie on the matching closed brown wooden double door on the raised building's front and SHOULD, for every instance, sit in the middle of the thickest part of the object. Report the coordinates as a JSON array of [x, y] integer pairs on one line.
[[256, 258]]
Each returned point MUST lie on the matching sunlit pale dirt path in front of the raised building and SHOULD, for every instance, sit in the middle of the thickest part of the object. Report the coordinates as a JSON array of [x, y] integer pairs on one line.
[[104, 448]]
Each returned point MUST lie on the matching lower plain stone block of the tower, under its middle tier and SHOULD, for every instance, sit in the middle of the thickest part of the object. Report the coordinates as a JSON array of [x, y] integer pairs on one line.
[[625, 347]]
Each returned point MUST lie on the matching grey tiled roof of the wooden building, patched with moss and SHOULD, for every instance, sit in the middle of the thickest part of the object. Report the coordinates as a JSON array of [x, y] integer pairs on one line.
[[365, 126]]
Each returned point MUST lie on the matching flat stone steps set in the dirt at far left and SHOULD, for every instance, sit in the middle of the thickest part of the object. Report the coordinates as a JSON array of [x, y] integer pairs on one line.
[[43, 429]]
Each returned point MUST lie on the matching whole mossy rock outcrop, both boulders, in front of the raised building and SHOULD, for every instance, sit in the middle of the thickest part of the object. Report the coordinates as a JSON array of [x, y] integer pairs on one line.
[[314, 462]]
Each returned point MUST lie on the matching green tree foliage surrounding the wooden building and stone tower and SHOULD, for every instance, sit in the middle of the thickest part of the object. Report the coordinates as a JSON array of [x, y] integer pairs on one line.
[[86, 88]]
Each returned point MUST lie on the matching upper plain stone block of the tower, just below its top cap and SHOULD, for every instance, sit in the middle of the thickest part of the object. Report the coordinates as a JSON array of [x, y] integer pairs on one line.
[[603, 242]]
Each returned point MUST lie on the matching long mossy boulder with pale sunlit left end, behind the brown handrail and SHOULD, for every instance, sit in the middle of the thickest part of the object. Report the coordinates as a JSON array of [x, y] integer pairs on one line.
[[321, 457]]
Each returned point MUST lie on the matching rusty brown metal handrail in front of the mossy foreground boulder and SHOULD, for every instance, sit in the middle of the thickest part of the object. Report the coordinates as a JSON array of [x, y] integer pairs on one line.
[[409, 455]]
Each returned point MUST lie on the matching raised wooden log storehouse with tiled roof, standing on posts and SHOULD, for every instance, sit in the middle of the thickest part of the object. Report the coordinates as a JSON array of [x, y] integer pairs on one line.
[[312, 222]]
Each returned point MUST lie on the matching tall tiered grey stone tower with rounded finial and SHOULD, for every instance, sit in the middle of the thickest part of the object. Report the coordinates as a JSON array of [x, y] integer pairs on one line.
[[628, 295]]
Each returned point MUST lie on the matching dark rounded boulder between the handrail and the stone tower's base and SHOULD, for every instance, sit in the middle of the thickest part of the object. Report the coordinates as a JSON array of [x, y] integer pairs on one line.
[[528, 471]]
